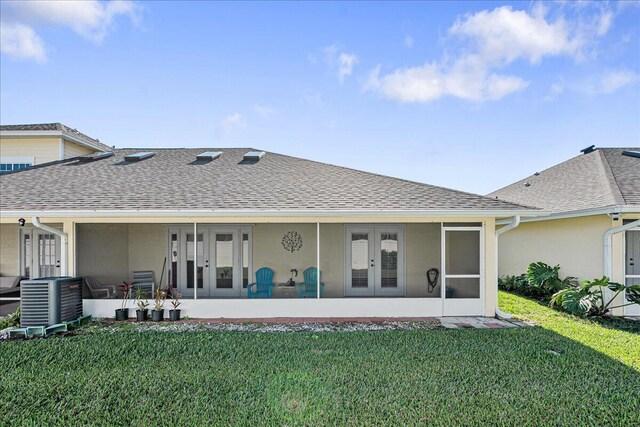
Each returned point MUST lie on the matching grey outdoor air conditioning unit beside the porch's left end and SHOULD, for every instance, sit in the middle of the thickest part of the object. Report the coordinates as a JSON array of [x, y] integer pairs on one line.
[[50, 300]]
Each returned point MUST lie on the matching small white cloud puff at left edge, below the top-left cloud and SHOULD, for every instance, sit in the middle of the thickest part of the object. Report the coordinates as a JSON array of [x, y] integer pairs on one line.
[[21, 42]]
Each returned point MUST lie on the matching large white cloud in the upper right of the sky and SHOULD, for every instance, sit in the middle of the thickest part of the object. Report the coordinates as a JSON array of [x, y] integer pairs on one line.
[[491, 40]]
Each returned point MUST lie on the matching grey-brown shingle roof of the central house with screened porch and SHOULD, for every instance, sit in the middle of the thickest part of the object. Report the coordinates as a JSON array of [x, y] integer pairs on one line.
[[173, 179]]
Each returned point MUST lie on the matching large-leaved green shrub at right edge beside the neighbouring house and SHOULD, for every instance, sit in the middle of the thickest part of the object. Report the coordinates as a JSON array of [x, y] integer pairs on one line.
[[588, 299]]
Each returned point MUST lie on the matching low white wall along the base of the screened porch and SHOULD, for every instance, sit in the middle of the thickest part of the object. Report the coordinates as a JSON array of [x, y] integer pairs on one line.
[[289, 307]]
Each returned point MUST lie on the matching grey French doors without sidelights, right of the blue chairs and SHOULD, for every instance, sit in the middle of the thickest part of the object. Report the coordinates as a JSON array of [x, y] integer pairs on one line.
[[374, 261]]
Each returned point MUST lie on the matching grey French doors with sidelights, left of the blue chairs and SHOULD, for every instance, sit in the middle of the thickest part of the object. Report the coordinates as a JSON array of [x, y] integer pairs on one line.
[[214, 264]]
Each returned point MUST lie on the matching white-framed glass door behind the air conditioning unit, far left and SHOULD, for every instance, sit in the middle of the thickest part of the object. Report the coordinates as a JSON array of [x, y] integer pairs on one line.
[[39, 253]]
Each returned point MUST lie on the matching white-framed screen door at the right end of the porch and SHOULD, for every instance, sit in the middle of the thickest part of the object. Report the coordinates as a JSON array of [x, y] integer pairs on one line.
[[462, 271]]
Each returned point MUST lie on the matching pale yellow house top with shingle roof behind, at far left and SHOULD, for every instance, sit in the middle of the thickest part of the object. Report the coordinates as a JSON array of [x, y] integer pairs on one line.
[[22, 146]]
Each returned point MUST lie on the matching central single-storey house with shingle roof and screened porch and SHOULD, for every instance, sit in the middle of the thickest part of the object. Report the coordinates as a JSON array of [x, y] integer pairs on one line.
[[373, 237]]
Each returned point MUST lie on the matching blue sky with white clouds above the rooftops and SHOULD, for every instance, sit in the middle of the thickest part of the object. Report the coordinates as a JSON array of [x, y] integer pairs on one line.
[[465, 95]]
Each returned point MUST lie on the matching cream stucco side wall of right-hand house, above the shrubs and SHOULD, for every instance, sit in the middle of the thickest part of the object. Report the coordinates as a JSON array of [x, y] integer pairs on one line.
[[575, 244]]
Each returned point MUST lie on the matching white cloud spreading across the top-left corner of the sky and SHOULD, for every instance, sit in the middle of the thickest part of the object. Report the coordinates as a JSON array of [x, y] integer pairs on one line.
[[90, 19]]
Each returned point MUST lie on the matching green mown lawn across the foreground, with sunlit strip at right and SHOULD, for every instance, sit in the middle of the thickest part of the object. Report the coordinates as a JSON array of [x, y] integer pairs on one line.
[[564, 372]]
